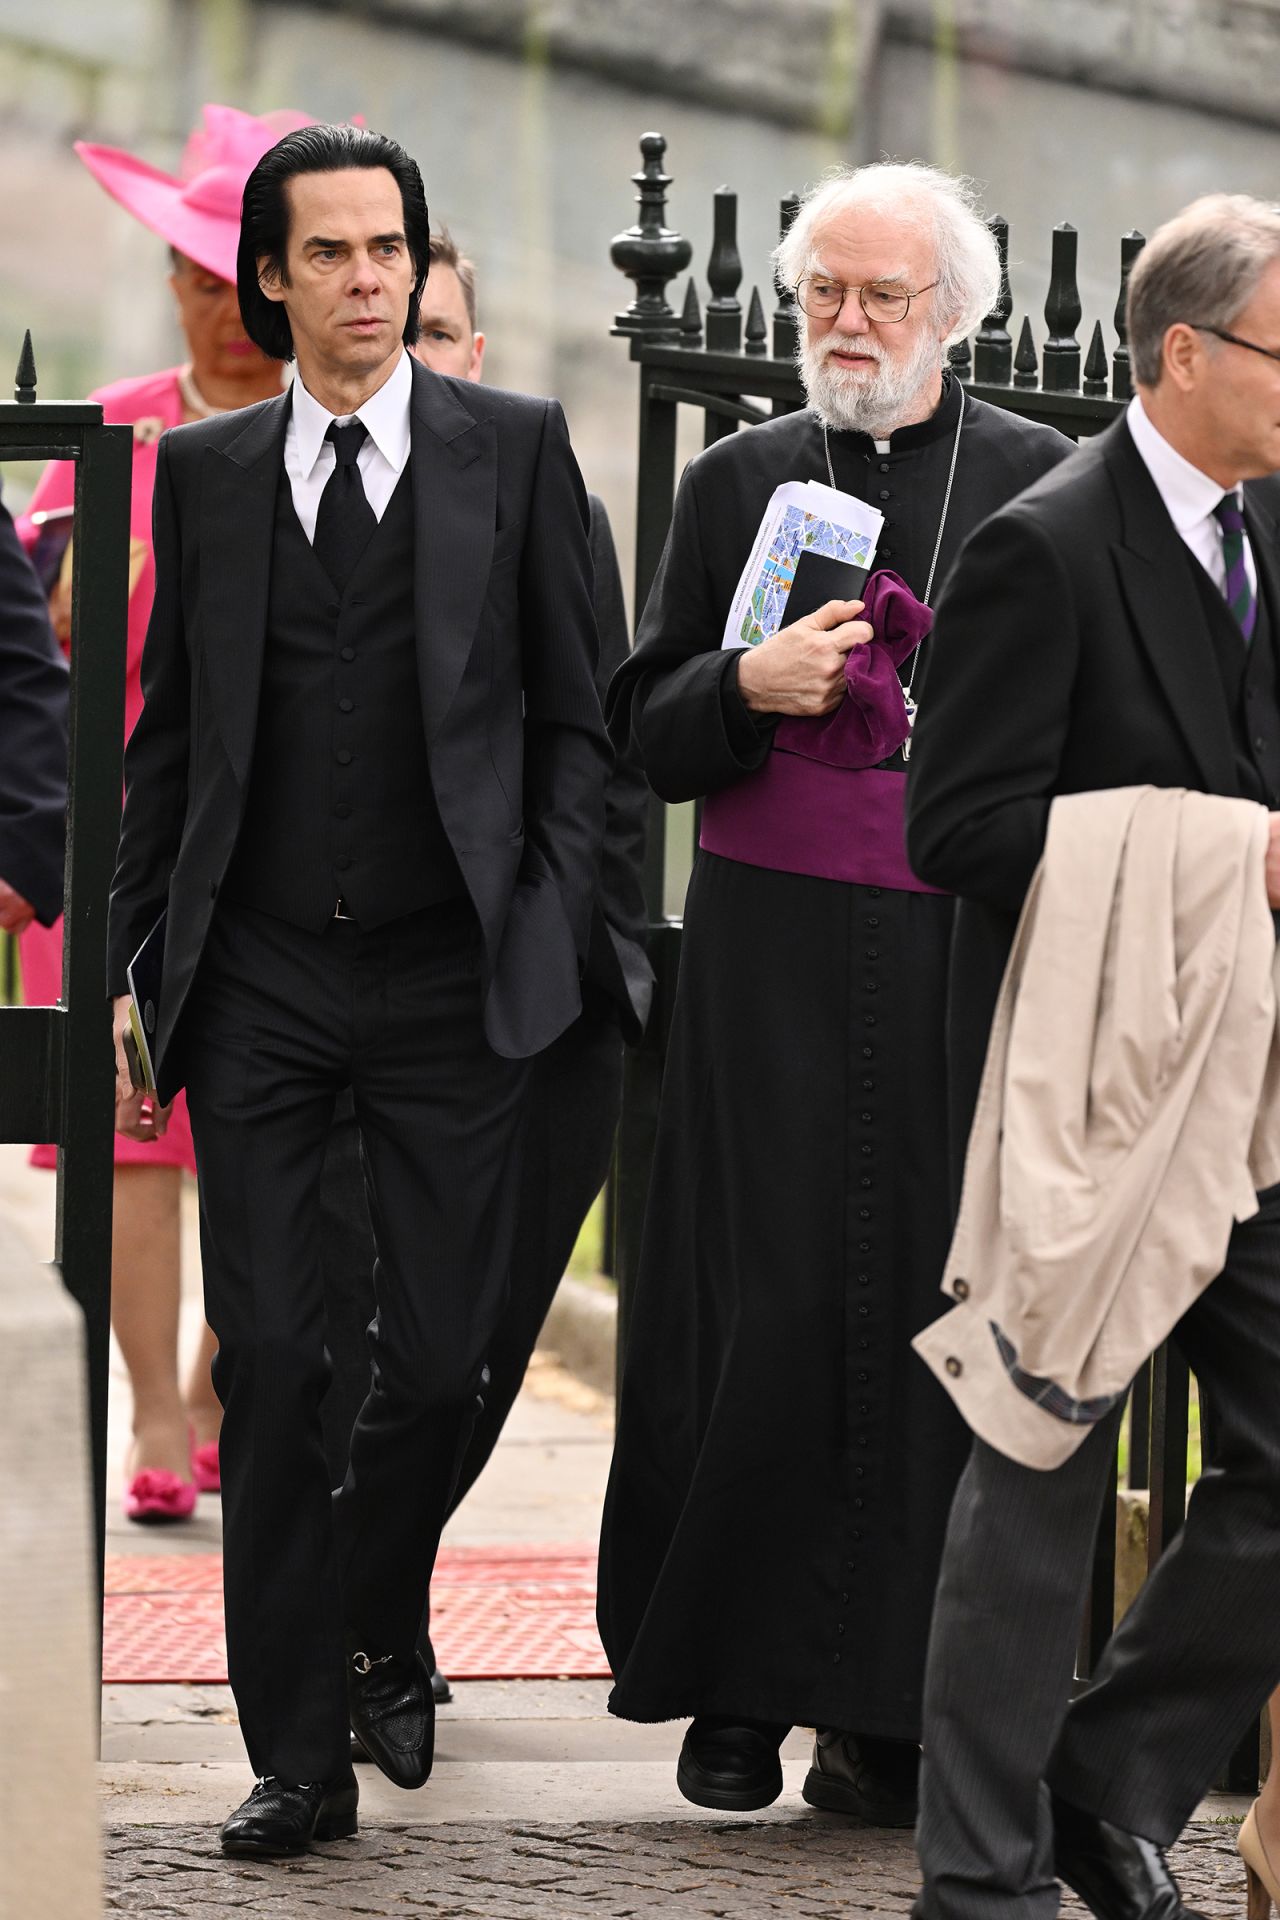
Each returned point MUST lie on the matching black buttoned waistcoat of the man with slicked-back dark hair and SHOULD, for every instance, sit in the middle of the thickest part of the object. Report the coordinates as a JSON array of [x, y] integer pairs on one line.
[[341, 796]]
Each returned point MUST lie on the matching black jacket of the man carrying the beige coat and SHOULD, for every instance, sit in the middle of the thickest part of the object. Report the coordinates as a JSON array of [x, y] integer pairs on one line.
[[1070, 654]]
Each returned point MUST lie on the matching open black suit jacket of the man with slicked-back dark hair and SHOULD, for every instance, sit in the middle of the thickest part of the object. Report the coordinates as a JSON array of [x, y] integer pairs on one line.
[[508, 658]]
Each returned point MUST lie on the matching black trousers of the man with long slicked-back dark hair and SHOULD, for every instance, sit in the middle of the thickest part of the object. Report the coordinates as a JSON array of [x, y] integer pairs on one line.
[[281, 1024]]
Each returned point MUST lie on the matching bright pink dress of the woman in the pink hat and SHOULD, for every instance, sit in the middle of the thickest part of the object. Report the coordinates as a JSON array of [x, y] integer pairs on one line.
[[151, 404]]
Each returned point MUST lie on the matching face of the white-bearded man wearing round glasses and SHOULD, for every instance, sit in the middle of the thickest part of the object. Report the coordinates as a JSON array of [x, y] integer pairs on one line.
[[865, 373]]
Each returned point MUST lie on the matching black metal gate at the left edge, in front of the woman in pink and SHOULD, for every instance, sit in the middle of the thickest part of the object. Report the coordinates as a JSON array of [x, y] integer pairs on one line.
[[57, 1068]]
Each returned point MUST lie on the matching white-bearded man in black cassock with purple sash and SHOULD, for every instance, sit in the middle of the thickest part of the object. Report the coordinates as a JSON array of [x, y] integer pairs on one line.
[[784, 1464]]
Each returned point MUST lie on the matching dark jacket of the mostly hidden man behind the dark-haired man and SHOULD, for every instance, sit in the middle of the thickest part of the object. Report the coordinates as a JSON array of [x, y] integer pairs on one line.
[[617, 961]]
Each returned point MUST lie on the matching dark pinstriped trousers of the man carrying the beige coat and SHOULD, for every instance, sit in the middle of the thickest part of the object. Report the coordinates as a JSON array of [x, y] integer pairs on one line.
[[1183, 1675]]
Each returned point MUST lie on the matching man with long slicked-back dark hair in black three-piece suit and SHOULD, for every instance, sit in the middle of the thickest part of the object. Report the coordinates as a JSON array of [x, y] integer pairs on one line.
[[369, 788]]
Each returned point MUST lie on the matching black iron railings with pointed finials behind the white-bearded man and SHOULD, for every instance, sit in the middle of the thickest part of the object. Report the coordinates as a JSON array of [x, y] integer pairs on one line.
[[740, 370]]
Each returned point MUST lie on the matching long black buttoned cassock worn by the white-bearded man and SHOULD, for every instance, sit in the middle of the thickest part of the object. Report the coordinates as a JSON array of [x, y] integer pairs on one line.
[[784, 1462]]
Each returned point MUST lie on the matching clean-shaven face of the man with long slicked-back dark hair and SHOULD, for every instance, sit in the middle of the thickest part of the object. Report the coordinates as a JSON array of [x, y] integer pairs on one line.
[[350, 272]]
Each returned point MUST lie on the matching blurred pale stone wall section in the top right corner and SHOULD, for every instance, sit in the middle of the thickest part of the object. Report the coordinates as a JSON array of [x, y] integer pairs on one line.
[[1221, 55]]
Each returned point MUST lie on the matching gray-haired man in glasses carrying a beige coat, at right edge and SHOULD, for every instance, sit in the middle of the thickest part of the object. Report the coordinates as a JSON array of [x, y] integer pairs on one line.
[[1118, 625]]
